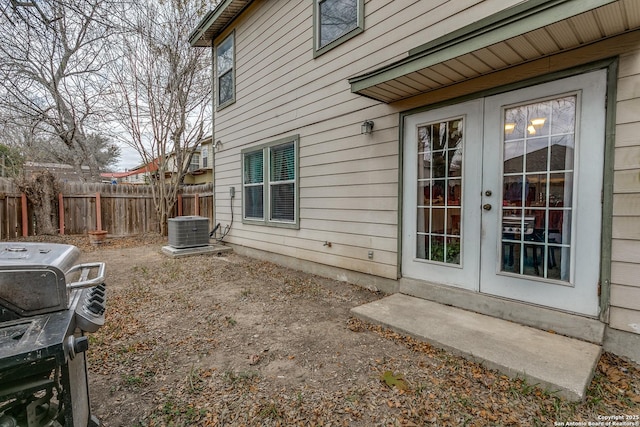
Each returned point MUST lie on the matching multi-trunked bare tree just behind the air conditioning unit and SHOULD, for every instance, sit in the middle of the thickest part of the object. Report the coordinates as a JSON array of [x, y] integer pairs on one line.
[[163, 92]]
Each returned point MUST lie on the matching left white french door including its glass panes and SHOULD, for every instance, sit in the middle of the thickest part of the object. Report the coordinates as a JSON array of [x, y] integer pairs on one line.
[[441, 173]]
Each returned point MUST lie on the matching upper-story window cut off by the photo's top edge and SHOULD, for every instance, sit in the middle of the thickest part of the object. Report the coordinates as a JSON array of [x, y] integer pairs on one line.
[[336, 21]]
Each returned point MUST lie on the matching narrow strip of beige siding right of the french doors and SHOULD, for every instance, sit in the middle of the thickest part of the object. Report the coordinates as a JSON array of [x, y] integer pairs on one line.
[[625, 266]]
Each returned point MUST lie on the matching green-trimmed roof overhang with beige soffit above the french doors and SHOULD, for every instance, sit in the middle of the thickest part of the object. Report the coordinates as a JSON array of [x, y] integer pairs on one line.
[[517, 35]]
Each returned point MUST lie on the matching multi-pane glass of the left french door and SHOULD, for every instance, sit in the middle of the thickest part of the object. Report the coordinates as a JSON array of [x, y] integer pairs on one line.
[[439, 198]]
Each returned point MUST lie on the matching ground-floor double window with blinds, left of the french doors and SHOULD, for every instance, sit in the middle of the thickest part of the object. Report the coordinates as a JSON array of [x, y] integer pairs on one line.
[[270, 183]]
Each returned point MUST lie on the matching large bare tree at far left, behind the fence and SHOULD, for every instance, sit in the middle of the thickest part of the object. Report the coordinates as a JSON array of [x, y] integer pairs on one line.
[[51, 71]]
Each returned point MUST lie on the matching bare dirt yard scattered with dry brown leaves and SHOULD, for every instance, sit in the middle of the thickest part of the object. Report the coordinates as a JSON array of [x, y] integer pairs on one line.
[[228, 340]]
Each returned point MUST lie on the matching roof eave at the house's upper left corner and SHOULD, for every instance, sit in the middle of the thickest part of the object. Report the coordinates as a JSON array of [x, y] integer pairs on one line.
[[215, 21]]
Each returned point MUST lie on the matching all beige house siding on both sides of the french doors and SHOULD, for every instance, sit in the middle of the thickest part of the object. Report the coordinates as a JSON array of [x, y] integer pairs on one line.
[[349, 182]]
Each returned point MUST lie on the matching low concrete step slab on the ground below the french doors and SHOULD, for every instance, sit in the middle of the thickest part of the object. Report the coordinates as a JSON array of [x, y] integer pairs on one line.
[[555, 363]]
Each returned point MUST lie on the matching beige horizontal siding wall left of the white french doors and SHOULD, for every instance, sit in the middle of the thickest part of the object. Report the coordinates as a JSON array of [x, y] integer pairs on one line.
[[348, 181]]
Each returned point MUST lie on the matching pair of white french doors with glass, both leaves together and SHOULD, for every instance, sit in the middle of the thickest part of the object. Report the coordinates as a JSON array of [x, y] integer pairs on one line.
[[502, 195]]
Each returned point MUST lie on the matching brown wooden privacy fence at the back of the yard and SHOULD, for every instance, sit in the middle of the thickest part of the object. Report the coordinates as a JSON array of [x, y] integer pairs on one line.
[[121, 210]]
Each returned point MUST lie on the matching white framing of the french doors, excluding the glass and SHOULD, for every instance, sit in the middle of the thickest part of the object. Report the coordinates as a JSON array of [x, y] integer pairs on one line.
[[479, 270]]
